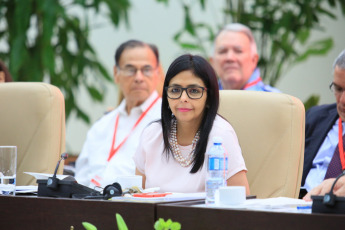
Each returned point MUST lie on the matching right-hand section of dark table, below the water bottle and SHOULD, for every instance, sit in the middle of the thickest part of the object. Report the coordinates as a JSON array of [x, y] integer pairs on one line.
[[192, 217]]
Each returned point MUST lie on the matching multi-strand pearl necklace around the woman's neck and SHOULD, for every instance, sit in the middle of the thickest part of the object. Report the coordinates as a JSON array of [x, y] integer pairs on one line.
[[184, 162]]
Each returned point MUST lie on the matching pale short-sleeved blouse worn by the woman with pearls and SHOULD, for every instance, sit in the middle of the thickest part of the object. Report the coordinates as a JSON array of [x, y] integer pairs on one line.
[[168, 174]]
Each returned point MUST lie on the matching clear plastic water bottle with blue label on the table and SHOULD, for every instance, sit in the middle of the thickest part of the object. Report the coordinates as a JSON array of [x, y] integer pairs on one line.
[[217, 167]]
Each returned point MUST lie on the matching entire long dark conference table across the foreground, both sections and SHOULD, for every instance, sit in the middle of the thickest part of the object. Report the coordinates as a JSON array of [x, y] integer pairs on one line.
[[25, 212]]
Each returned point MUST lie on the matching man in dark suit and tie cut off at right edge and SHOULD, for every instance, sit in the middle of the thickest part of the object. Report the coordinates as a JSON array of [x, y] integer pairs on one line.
[[324, 134]]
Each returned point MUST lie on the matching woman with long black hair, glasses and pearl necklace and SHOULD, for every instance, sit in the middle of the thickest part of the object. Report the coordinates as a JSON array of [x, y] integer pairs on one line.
[[172, 152]]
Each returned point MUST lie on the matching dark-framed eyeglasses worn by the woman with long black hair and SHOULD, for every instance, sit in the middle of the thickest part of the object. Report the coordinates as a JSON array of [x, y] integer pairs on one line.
[[193, 92]]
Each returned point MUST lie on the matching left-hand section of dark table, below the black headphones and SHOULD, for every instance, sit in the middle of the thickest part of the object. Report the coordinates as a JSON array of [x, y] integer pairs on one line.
[[25, 212]]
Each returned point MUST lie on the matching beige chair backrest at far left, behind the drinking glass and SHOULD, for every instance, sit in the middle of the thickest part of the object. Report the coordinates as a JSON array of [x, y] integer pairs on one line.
[[32, 117]]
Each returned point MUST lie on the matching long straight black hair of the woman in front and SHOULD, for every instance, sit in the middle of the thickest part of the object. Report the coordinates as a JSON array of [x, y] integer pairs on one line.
[[202, 69]]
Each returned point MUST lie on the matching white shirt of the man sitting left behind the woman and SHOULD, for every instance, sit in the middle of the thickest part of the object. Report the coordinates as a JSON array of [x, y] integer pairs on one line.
[[92, 162]]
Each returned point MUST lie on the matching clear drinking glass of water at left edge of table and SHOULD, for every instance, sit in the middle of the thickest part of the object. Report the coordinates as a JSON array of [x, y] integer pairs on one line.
[[8, 168]]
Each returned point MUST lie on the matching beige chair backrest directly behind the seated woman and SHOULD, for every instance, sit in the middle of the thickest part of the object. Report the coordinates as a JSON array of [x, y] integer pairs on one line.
[[270, 129]]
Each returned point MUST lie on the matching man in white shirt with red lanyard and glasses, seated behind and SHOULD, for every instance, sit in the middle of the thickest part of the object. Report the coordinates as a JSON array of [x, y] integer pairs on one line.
[[112, 141]]
